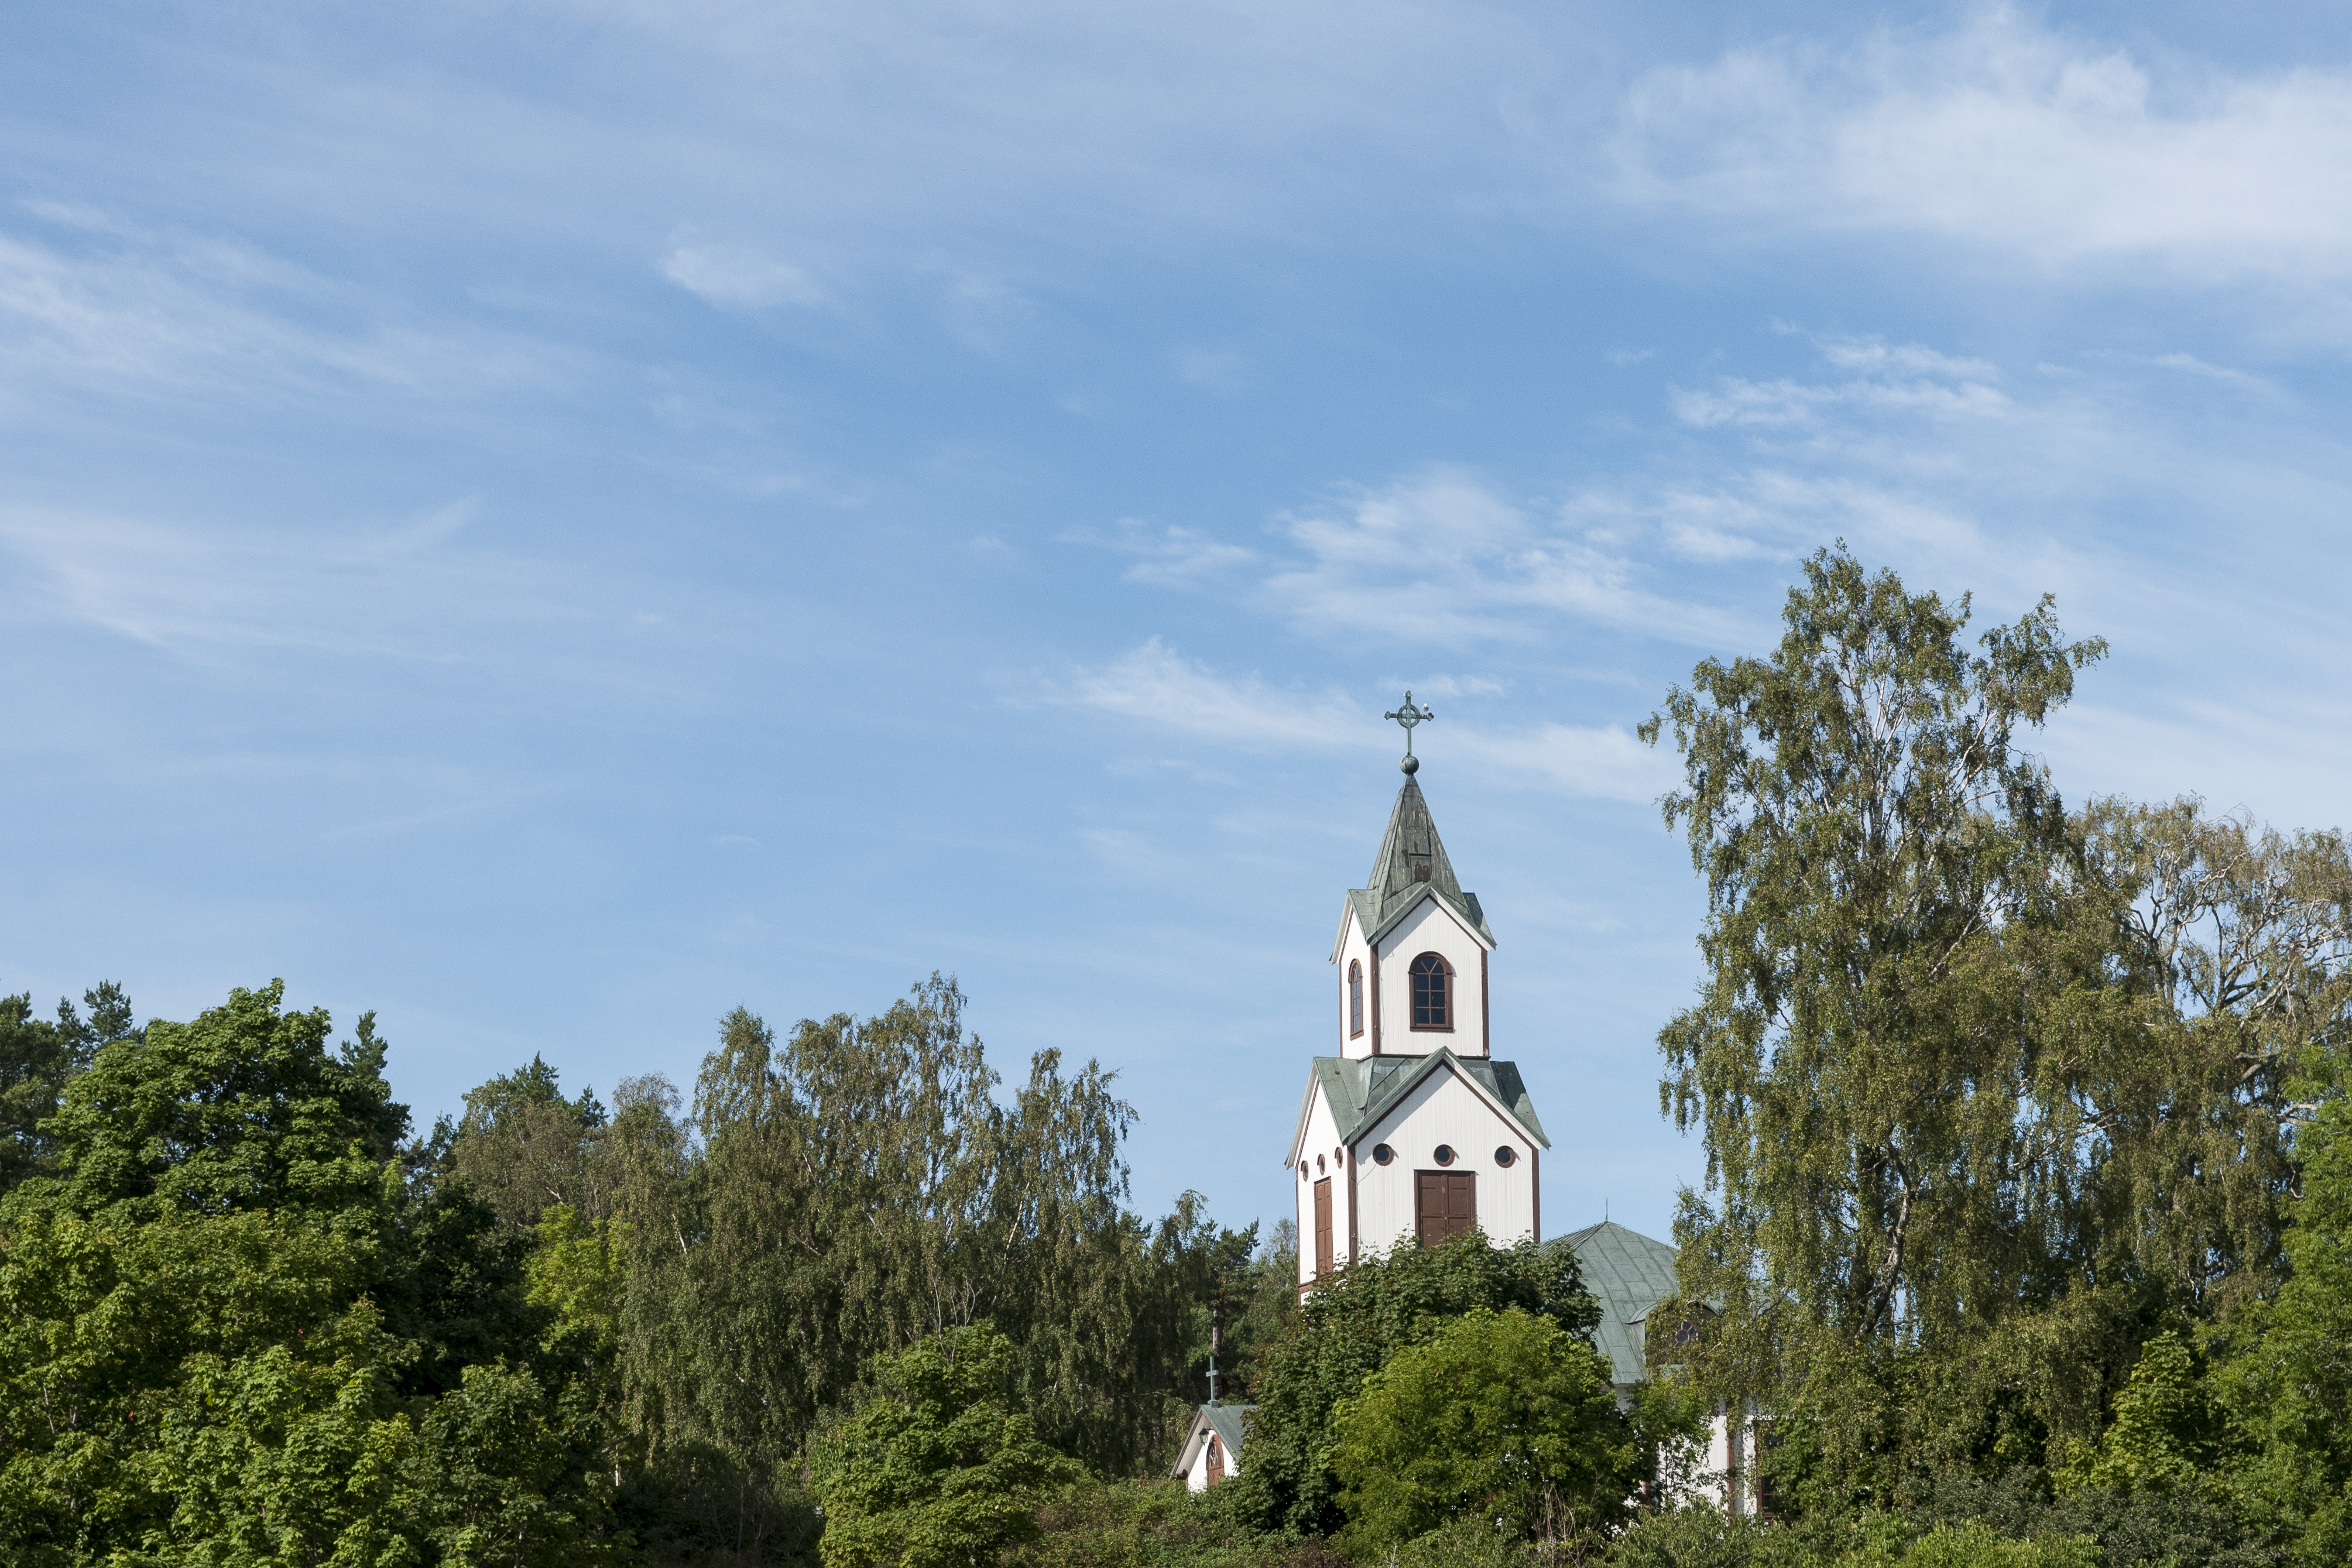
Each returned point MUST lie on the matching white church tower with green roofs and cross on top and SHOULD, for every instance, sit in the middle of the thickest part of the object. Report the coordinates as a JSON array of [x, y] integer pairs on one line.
[[1412, 1127]]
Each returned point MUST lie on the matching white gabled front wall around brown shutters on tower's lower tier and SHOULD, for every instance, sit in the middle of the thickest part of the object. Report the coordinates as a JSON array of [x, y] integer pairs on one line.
[[1443, 1108]]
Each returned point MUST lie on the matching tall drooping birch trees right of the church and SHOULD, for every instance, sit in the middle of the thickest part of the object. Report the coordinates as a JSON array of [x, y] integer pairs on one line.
[[1989, 1092]]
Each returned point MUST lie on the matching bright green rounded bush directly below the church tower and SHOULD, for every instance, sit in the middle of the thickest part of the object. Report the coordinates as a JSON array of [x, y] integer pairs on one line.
[[1499, 1419]]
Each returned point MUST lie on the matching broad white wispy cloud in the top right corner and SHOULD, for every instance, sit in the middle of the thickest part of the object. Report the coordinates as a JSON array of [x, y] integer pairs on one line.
[[2012, 138]]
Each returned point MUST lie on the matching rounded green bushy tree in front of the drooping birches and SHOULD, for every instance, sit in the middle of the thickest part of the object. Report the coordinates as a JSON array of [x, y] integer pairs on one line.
[[935, 1470]]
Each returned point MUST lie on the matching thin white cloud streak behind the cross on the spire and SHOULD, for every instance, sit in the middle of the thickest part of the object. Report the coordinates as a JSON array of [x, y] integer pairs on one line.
[[1161, 688]]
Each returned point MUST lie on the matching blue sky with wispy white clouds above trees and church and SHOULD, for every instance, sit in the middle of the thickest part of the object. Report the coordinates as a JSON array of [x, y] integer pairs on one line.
[[556, 521]]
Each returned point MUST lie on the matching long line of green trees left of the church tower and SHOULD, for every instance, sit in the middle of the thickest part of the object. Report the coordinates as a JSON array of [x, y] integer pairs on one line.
[[248, 1318]]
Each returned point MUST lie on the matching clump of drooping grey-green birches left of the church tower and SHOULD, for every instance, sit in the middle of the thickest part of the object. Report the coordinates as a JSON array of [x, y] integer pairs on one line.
[[857, 1191]]
